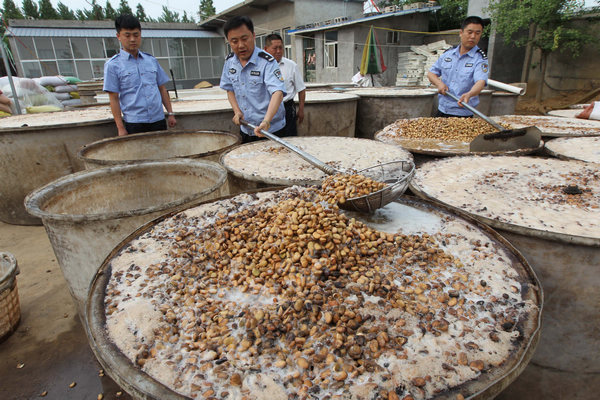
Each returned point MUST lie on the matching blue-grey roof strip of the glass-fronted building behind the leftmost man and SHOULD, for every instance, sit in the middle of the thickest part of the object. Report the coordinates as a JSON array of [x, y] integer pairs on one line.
[[146, 33]]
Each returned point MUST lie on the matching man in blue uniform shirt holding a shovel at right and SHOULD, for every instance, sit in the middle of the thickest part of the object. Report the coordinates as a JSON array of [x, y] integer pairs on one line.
[[462, 70]]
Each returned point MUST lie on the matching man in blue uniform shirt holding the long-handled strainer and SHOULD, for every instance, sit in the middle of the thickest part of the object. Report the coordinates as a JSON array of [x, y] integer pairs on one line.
[[253, 82]]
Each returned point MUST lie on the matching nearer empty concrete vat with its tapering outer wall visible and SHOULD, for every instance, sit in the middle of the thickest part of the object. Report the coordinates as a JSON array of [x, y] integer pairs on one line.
[[86, 214]]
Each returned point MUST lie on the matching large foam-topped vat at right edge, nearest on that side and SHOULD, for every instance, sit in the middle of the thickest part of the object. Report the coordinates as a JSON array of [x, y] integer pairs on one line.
[[566, 363]]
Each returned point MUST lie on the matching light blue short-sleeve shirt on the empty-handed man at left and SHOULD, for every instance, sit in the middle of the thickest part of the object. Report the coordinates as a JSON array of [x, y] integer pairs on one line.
[[137, 81]]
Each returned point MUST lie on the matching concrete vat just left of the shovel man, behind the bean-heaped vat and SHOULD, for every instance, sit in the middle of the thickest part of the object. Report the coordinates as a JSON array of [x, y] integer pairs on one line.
[[379, 107]]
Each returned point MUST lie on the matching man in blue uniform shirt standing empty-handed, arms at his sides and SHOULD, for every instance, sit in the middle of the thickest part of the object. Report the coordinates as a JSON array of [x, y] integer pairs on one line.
[[135, 83]]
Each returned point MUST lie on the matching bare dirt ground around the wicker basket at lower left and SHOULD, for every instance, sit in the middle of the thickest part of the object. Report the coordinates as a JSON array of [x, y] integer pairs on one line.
[[49, 350]]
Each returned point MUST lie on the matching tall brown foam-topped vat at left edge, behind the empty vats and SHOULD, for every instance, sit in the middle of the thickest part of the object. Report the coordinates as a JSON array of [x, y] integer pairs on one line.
[[38, 148]]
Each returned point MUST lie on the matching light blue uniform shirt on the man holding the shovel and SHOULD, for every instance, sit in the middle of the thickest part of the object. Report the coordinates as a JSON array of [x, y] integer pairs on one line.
[[460, 73]]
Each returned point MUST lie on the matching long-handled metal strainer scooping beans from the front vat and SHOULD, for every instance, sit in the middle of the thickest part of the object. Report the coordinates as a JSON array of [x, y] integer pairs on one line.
[[396, 174]]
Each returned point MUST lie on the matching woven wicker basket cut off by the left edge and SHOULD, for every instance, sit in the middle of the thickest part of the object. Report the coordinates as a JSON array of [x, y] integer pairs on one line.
[[10, 311]]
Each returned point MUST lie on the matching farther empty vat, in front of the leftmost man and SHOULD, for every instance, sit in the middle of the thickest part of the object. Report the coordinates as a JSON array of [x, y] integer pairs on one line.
[[131, 149]]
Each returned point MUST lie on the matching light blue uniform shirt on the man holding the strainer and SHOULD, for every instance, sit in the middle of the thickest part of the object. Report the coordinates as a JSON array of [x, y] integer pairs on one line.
[[253, 86]]
